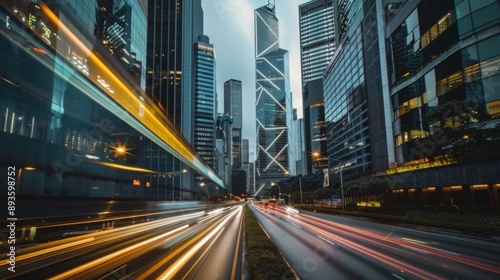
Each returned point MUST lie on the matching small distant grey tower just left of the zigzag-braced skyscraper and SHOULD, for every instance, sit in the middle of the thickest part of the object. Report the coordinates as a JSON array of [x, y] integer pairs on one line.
[[233, 107]]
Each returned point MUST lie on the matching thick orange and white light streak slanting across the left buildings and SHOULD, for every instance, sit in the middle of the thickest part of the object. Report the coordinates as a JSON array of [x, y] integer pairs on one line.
[[140, 112]]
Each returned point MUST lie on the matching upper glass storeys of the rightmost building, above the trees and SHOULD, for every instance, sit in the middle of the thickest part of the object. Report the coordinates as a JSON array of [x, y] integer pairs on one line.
[[451, 57]]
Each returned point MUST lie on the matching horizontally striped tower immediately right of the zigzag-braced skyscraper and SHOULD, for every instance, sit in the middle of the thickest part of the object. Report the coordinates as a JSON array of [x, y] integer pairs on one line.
[[317, 45]]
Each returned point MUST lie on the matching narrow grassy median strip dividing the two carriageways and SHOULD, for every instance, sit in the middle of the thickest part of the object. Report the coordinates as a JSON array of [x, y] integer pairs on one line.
[[264, 259]]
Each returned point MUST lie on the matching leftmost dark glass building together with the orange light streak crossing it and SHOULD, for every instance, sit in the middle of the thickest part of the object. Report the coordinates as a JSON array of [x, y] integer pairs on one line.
[[74, 114]]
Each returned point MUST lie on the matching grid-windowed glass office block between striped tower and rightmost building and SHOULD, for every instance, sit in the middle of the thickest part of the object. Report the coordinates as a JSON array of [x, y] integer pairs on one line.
[[359, 135]]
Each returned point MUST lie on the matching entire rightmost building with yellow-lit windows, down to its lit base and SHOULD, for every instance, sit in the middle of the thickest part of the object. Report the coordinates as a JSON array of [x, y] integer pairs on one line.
[[443, 80]]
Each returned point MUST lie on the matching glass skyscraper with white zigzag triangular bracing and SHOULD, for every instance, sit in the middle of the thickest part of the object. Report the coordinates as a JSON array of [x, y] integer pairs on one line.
[[272, 97]]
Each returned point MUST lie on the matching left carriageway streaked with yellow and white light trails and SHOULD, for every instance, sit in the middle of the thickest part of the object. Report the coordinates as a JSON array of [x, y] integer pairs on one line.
[[185, 246]]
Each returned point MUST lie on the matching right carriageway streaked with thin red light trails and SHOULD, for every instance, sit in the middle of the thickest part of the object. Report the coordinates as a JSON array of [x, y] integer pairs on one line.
[[320, 246]]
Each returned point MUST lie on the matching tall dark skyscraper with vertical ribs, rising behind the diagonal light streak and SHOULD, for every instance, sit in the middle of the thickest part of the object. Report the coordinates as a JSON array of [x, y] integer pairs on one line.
[[173, 30]]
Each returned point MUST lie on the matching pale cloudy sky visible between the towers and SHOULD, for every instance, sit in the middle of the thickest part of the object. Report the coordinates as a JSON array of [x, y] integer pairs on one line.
[[230, 26]]
